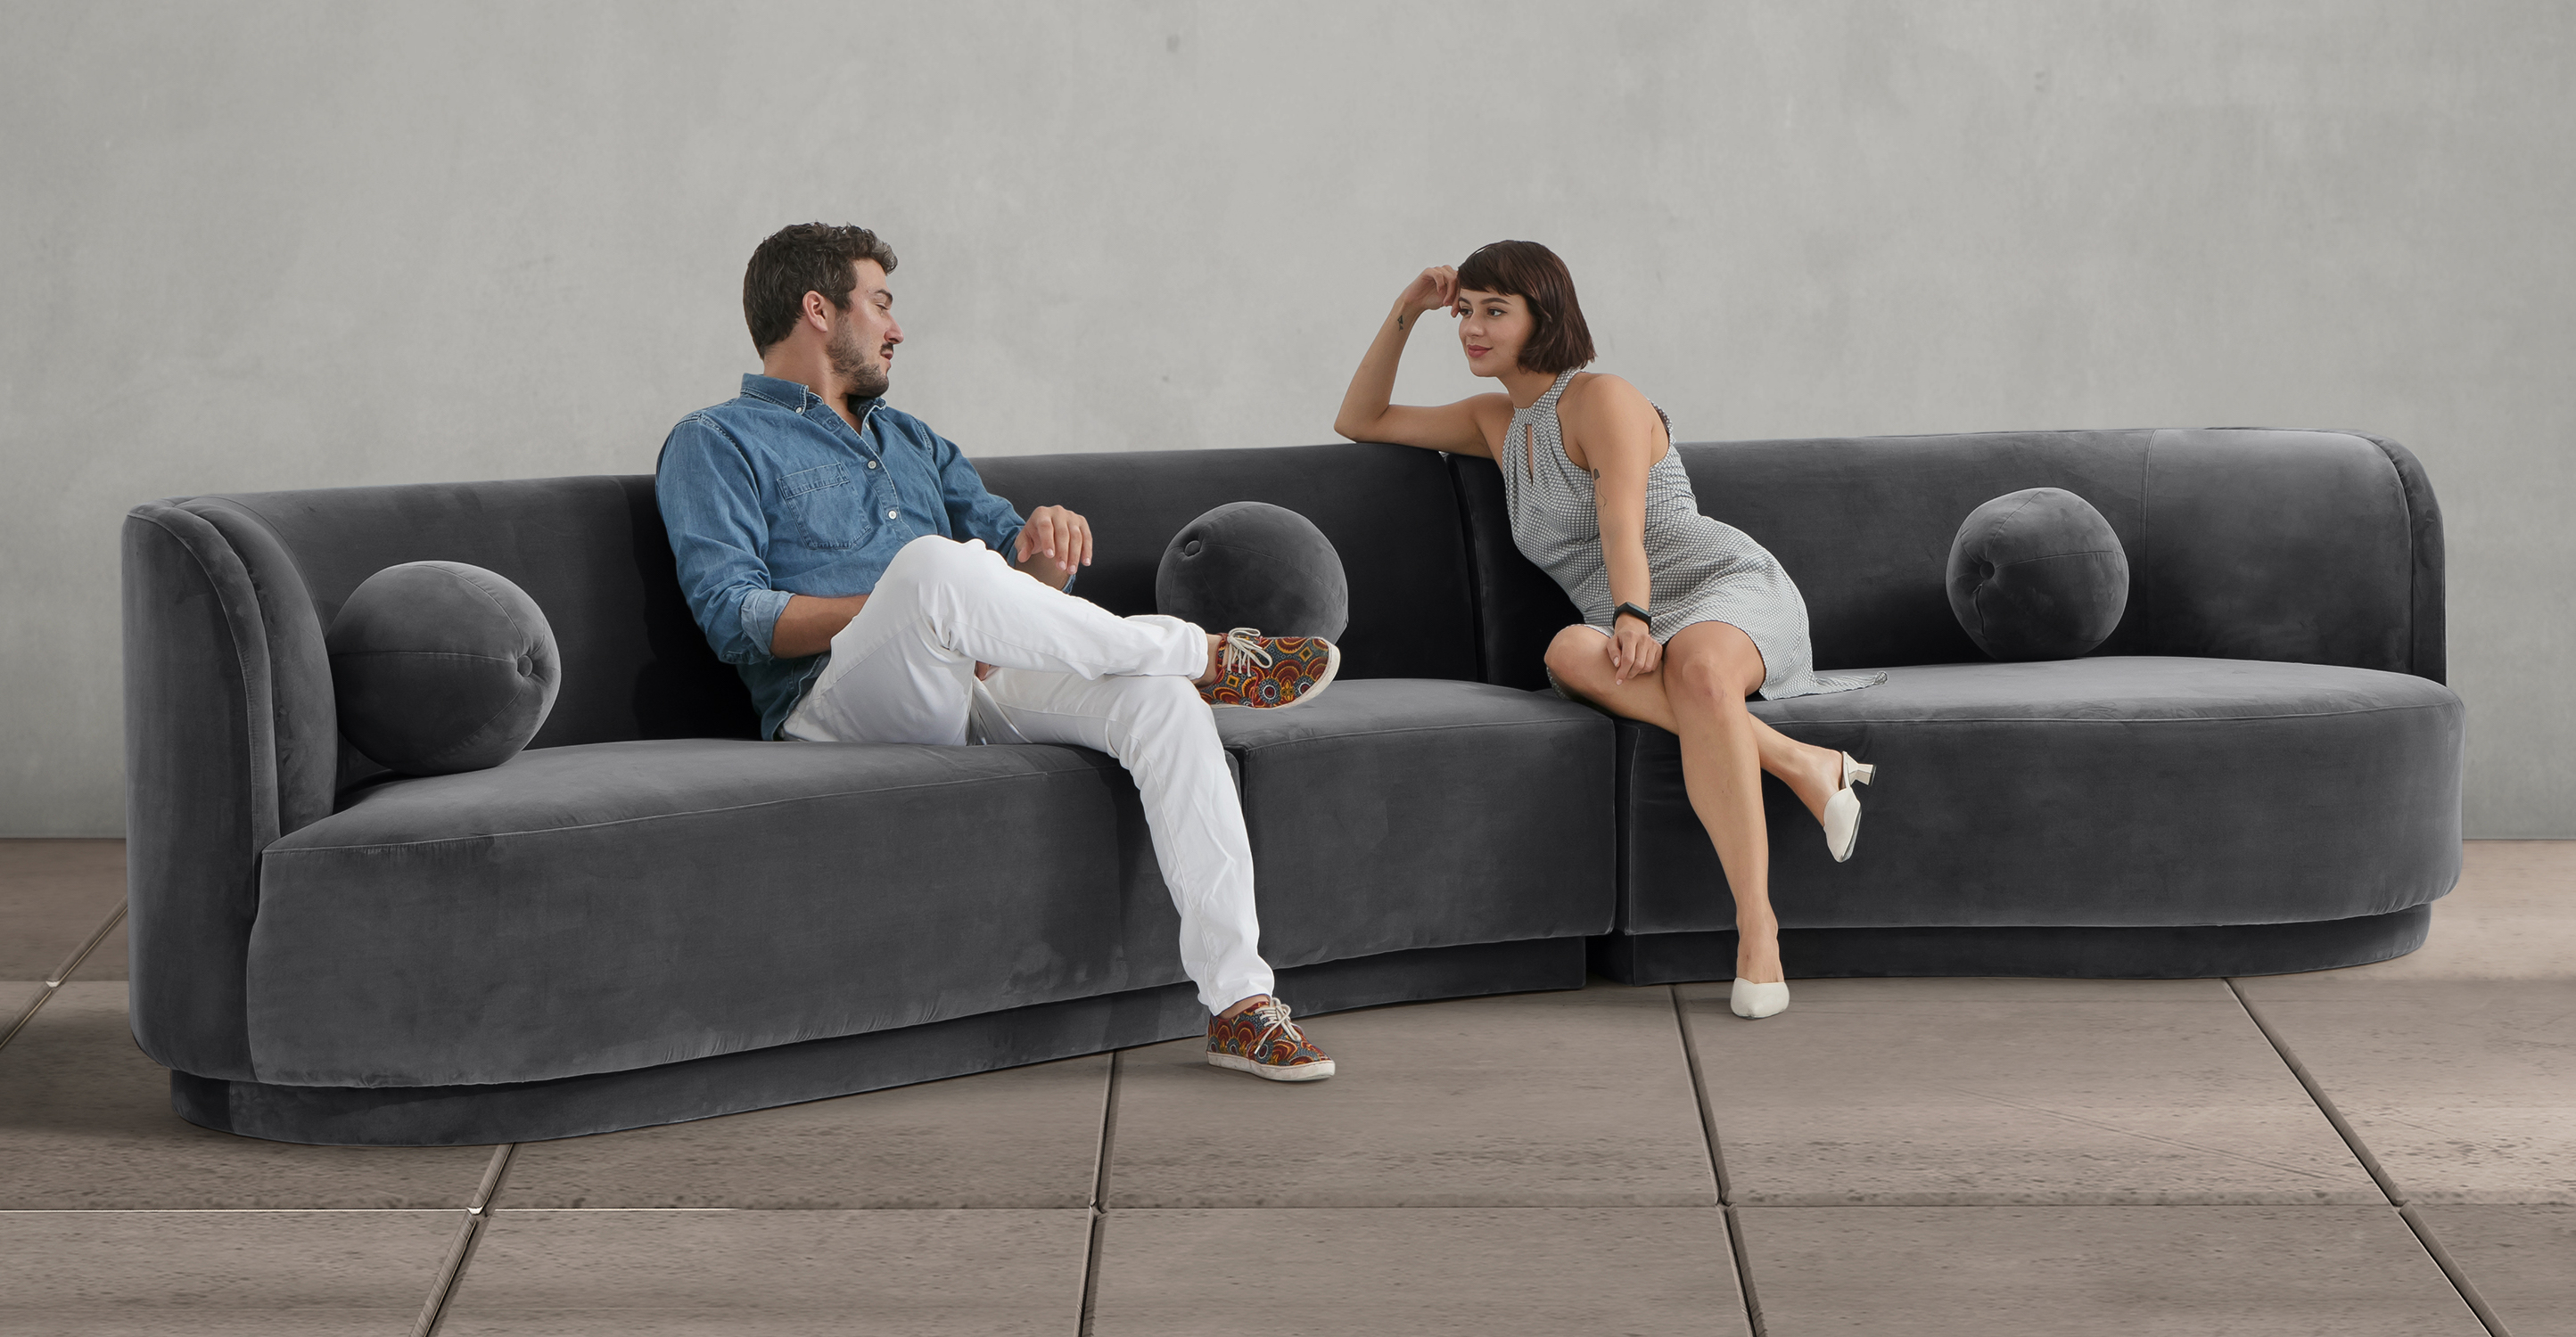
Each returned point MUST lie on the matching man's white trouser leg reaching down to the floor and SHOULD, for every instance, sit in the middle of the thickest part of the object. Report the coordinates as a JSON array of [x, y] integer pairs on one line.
[[1163, 733]]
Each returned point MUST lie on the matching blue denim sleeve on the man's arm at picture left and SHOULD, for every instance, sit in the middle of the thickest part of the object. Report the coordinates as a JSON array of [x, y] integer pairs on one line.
[[710, 501]]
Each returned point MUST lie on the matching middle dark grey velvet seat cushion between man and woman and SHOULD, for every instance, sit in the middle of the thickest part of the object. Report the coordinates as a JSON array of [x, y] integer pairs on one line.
[[1418, 813]]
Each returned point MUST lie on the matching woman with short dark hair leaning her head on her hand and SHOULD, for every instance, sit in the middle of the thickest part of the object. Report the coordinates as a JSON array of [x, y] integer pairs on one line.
[[1683, 617]]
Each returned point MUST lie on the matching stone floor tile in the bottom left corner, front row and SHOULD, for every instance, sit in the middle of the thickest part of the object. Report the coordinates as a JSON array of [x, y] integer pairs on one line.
[[210, 1274]]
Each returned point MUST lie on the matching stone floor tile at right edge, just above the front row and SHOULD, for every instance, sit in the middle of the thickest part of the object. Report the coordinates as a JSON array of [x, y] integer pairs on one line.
[[2464, 1091]]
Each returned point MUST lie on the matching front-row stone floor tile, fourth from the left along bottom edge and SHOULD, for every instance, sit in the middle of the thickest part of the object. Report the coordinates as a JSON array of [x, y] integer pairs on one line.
[[2134, 1271]]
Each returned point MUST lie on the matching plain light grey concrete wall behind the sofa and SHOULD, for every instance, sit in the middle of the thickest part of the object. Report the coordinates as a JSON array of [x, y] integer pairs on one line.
[[295, 246]]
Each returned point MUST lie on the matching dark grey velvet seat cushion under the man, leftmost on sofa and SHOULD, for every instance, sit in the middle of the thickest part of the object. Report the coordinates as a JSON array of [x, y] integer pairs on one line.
[[620, 906]]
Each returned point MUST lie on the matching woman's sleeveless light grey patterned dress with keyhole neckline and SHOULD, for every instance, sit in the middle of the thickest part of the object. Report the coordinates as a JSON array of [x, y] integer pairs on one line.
[[1704, 571]]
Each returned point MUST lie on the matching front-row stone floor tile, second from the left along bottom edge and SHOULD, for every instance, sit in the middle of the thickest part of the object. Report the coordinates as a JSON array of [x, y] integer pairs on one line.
[[774, 1271]]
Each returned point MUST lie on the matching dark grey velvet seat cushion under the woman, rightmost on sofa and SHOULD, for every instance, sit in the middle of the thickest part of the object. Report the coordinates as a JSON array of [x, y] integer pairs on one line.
[[2103, 792]]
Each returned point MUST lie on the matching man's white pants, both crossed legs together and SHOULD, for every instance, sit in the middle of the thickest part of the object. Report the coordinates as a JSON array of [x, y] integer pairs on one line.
[[1065, 671]]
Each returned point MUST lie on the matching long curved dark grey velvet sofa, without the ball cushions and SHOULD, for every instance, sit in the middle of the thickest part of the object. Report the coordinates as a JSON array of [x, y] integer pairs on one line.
[[648, 916]]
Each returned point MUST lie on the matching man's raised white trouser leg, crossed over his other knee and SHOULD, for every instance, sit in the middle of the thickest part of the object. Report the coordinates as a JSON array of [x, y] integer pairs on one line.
[[903, 671]]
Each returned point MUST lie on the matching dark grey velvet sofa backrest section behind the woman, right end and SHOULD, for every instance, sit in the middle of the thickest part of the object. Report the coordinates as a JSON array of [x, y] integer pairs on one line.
[[2242, 545]]
